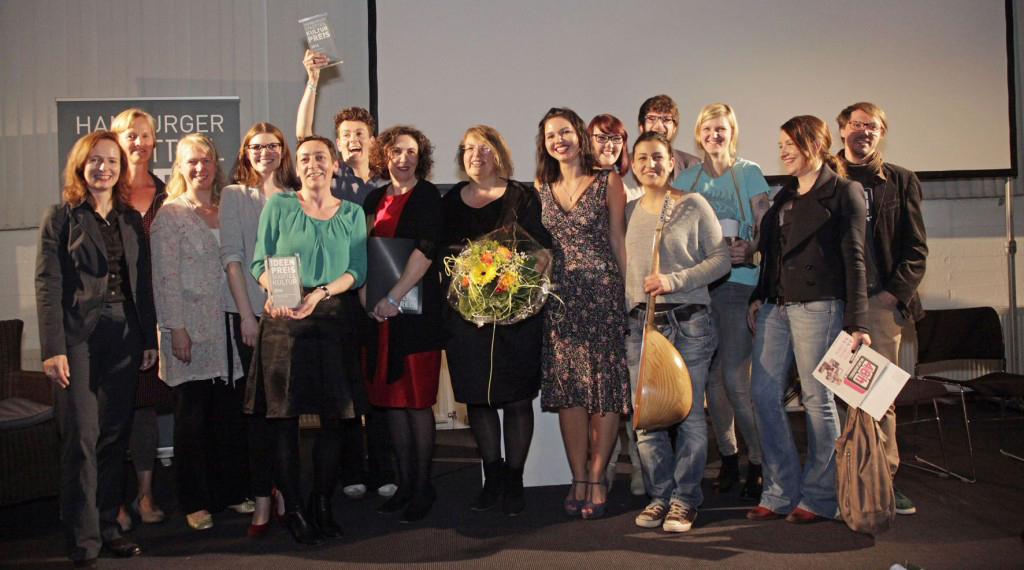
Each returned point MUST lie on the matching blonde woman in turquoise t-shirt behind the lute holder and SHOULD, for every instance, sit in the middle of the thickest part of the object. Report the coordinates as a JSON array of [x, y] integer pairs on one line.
[[739, 195]]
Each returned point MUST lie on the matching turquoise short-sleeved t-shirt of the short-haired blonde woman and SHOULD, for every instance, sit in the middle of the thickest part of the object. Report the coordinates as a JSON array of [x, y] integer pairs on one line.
[[721, 194]]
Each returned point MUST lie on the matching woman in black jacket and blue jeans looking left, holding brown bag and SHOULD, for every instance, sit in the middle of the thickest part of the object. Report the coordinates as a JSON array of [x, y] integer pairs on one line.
[[813, 286]]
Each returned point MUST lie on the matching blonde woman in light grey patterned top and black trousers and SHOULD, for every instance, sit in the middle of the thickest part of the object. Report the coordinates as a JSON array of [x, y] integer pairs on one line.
[[189, 287]]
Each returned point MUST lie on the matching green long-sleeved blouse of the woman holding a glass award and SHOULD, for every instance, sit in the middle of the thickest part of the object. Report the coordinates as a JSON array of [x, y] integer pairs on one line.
[[327, 249]]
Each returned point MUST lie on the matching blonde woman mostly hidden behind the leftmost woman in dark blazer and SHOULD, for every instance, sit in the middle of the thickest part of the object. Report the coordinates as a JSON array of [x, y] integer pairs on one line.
[[137, 135]]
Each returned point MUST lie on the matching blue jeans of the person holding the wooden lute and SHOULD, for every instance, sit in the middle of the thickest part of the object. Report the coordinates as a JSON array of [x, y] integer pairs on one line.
[[676, 476]]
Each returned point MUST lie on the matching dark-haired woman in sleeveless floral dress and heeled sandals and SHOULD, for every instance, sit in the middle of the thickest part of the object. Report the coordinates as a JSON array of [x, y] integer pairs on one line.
[[585, 375]]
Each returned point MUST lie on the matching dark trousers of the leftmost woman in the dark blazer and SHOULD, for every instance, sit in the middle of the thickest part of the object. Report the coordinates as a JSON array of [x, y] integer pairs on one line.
[[96, 414]]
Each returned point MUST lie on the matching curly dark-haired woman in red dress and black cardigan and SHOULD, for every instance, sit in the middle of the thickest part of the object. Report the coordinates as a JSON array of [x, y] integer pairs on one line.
[[404, 352]]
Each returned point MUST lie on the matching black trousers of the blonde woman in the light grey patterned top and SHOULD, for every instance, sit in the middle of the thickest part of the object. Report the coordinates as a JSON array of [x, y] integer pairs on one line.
[[211, 465]]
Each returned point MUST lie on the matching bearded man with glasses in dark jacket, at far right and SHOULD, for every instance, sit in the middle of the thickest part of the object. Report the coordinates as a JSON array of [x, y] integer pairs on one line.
[[895, 247]]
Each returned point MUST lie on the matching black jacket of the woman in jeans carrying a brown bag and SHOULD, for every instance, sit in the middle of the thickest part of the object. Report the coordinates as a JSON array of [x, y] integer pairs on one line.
[[824, 257]]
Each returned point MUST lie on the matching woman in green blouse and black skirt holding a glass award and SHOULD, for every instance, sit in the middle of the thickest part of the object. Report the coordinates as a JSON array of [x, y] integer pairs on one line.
[[306, 360]]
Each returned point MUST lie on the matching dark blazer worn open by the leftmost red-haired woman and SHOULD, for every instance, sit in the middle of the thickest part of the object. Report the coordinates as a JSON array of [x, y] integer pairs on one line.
[[71, 276]]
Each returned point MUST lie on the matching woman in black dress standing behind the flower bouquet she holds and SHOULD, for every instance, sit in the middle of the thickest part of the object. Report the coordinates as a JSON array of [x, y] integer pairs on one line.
[[494, 366]]
